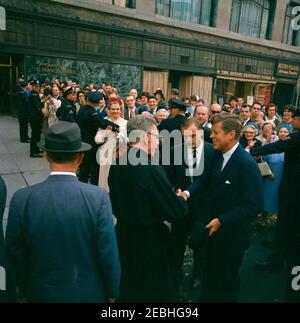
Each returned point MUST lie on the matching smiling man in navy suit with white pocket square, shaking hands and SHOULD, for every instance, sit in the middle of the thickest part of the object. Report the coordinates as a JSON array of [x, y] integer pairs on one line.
[[233, 196]]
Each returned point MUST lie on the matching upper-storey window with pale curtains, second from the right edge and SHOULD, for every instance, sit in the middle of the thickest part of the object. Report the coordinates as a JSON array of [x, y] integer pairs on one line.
[[252, 17]]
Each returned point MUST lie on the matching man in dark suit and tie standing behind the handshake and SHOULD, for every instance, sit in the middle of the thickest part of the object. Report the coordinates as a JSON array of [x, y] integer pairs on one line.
[[193, 155]]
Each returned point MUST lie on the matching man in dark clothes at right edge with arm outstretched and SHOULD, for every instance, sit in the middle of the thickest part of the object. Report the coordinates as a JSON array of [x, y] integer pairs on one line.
[[287, 238]]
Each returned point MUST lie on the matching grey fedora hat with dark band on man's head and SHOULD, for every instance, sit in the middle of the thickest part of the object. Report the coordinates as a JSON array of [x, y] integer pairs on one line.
[[64, 137]]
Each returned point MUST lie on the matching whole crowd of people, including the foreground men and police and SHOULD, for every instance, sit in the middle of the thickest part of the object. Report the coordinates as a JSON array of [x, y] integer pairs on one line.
[[68, 250]]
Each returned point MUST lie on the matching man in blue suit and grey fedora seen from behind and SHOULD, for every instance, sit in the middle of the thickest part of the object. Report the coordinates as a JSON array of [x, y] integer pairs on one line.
[[60, 236]]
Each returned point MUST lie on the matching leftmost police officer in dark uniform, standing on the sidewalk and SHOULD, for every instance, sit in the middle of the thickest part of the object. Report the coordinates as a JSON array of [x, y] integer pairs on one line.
[[23, 113]]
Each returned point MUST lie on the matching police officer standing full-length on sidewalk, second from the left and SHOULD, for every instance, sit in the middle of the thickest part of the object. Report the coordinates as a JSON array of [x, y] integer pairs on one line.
[[35, 117]]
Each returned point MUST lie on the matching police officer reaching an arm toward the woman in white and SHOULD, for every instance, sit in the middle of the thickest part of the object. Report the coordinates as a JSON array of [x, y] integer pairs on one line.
[[89, 122]]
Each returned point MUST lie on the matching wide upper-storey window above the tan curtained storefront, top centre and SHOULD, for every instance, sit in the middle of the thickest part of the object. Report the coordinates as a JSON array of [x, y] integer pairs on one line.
[[202, 12]]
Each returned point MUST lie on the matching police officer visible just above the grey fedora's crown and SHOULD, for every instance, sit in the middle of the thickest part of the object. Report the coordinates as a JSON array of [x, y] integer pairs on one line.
[[67, 110]]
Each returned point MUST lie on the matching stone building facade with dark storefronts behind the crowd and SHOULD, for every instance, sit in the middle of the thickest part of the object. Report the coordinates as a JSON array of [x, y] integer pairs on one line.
[[213, 48]]
